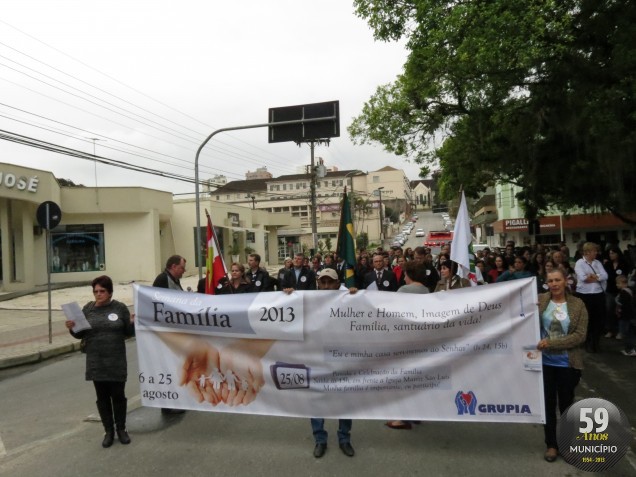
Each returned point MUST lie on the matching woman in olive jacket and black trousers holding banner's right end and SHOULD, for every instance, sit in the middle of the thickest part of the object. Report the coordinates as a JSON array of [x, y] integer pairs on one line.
[[563, 331]]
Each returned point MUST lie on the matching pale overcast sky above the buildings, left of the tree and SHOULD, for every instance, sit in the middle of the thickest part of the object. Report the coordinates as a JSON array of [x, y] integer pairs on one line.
[[149, 81]]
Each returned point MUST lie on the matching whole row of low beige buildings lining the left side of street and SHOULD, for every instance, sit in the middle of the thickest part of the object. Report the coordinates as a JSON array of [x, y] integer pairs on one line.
[[124, 232]]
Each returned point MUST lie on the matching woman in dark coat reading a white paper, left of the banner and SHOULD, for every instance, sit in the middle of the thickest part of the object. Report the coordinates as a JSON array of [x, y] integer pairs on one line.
[[106, 365]]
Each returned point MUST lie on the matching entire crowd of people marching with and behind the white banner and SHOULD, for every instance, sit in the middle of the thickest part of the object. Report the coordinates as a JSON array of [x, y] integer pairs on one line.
[[582, 298]]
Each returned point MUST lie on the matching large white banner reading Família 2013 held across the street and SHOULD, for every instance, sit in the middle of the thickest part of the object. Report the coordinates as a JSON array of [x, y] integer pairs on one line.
[[463, 355]]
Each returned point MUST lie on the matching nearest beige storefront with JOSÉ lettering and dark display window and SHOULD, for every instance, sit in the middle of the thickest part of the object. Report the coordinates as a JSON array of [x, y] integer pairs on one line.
[[112, 230]]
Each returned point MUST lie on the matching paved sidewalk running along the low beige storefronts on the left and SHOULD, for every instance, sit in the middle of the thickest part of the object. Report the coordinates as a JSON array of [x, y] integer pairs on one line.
[[24, 322]]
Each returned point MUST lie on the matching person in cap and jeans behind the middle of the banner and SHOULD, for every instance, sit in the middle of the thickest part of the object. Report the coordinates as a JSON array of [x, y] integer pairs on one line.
[[328, 280]]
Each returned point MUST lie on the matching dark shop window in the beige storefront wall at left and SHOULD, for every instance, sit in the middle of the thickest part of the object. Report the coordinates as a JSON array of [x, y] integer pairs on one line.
[[78, 248]]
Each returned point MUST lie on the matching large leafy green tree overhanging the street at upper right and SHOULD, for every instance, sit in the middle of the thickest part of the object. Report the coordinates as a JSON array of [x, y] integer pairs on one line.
[[536, 93]]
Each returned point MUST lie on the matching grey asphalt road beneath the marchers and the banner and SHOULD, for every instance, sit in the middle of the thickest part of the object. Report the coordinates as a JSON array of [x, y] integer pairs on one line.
[[47, 428]]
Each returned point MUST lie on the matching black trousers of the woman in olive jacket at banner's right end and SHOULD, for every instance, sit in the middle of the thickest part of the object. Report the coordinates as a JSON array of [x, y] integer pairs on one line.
[[558, 388]]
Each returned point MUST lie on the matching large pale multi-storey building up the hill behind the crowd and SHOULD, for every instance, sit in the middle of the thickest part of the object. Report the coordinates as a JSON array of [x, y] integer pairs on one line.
[[374, 193]]
